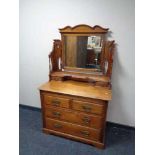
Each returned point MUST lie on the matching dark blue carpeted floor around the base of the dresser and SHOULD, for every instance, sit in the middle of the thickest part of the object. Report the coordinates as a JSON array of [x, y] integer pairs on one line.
[[119, 141]]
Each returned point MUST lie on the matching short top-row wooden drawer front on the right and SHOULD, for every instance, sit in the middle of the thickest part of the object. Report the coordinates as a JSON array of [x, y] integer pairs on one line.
[[88, 107]]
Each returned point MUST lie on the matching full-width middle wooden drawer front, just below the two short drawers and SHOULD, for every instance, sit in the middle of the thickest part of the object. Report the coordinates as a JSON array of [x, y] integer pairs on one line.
[[75, 117]]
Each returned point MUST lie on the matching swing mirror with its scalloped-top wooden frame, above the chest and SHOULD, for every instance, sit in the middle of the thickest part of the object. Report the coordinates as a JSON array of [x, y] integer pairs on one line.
[[83, 48]]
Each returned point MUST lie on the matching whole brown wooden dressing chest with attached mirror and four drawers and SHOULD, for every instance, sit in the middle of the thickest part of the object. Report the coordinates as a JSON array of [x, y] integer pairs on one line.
[[75, 99]]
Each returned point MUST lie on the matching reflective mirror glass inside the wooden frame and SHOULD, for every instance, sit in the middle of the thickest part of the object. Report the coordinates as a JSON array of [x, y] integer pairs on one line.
[[83, 51]]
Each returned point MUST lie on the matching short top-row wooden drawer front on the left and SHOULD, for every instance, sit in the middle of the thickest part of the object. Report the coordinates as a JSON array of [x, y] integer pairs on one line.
[[54, 101]]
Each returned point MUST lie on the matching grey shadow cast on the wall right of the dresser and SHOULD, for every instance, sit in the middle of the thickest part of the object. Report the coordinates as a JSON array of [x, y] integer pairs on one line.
[[116, 112]]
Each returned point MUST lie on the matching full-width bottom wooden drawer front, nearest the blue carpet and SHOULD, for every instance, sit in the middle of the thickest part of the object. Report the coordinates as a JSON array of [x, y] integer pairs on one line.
[[73, 129]]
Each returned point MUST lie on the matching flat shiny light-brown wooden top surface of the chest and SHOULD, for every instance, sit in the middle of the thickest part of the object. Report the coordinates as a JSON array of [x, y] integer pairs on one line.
[[75, 88]]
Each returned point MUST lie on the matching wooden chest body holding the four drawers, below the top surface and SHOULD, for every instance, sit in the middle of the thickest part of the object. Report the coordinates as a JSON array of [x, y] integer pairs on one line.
[[68, 121]]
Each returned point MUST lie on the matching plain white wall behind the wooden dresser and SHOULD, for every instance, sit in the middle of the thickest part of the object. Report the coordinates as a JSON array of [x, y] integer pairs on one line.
[[39, 23]]
